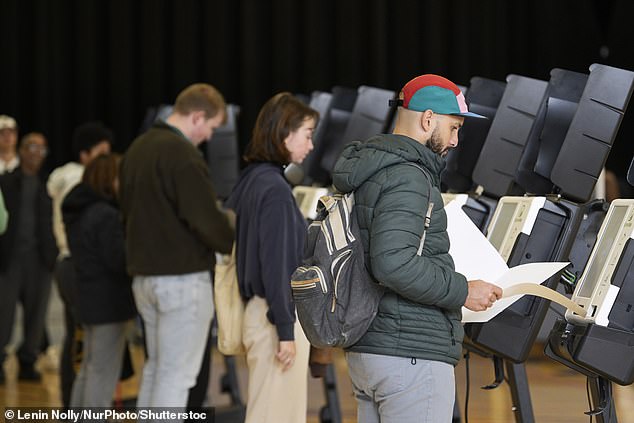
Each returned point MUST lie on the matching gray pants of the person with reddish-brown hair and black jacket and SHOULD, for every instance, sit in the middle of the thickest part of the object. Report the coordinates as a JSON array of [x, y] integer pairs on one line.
[[101, 366]]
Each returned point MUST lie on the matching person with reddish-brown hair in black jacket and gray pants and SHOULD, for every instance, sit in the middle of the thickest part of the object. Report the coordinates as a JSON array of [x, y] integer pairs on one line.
[[104, 301]]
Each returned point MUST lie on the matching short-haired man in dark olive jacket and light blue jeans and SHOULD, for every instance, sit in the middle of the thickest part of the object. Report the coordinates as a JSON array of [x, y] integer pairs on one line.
[[173, 229]]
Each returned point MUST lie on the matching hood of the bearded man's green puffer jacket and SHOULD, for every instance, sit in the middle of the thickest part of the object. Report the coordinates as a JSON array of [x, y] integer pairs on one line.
[[360, 160]]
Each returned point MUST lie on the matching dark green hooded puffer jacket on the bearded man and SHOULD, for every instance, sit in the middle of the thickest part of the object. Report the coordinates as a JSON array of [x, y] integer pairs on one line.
[[420, 314]]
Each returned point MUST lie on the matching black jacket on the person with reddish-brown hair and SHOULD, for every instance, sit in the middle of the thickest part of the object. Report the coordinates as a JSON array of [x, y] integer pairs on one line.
[[96, 241]]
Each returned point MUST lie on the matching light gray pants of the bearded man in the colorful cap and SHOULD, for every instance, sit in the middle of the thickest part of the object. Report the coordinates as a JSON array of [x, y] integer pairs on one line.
[[401, 390]]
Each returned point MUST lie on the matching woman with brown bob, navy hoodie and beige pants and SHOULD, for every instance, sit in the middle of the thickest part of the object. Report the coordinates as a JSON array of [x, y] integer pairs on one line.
[[270, 232]]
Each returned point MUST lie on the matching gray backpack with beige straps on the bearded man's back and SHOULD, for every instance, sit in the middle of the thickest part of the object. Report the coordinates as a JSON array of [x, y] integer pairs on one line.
[[335, 295]]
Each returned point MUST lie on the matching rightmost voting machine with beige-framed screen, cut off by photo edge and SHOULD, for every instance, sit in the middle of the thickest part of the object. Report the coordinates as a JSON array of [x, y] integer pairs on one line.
[[602, 342]]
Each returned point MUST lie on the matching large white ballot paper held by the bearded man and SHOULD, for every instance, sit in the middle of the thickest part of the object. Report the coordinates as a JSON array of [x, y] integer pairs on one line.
[[476, 258]]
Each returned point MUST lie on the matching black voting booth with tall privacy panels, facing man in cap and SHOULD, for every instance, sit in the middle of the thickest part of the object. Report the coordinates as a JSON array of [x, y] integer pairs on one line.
[[546, 140]]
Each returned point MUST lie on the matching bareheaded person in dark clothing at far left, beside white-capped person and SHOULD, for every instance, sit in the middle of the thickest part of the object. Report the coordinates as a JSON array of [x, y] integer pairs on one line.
[[27, 254]]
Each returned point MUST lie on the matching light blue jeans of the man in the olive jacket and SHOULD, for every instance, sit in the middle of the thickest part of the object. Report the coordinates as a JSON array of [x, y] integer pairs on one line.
[[176, 312]]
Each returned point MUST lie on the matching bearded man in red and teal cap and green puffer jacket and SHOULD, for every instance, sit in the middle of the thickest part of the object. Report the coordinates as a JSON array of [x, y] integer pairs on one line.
[[402, 369]]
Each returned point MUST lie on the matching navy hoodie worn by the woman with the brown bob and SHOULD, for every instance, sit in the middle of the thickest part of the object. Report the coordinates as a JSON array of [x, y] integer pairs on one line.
[[270, 233]]
